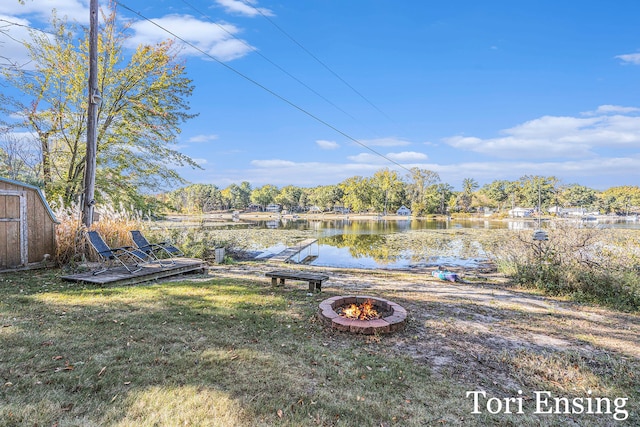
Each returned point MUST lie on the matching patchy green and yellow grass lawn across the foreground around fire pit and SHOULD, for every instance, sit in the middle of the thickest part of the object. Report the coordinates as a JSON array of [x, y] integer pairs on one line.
[[233, 351]]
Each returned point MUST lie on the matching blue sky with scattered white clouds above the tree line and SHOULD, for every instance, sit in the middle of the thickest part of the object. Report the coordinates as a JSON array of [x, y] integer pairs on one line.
[[484, 90]]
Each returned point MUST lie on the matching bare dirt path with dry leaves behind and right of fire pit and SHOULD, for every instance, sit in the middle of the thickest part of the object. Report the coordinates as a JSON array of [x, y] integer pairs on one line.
[[489, 335]]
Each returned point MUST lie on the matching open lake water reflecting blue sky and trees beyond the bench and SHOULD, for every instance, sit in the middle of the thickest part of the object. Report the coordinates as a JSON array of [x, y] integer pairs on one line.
[[395, 244]]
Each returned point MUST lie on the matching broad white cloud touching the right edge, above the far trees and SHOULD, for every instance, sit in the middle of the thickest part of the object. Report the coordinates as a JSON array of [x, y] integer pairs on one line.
[[559, 137]]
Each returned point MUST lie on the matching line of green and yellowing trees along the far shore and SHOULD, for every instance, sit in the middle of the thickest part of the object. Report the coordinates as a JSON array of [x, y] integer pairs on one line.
[[421, 191]]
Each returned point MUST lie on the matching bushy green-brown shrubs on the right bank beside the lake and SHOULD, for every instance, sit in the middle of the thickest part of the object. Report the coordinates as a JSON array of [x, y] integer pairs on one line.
[[600, 265]]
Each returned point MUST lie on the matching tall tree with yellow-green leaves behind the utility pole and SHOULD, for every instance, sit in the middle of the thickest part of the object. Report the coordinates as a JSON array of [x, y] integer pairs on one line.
[[143, 105]]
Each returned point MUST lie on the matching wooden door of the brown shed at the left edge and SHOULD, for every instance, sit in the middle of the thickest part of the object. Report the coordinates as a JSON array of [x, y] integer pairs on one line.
[[13, 229]]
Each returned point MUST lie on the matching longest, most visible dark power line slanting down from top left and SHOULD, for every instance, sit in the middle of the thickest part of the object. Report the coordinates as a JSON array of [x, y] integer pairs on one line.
[[261, 86]]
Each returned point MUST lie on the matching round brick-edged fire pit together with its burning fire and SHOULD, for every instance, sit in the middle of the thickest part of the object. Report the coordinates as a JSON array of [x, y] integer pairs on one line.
[[362, 314]]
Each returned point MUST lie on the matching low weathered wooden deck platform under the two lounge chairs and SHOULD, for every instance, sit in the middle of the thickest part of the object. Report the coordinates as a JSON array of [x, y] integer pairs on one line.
[[121, 276]]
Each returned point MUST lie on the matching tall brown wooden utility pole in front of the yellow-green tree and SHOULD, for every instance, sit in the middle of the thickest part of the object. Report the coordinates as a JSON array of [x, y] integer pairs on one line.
[[92, 118]]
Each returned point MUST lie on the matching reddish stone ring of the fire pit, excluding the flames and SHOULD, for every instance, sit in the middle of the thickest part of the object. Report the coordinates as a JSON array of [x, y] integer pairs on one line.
[[392, 315]]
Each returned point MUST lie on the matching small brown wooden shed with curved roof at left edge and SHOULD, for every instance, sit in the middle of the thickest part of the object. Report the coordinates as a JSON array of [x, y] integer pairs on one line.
[[27, 225]]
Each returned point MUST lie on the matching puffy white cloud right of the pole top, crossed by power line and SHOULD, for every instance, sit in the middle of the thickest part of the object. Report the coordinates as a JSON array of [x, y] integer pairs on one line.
[[217, 40]]
